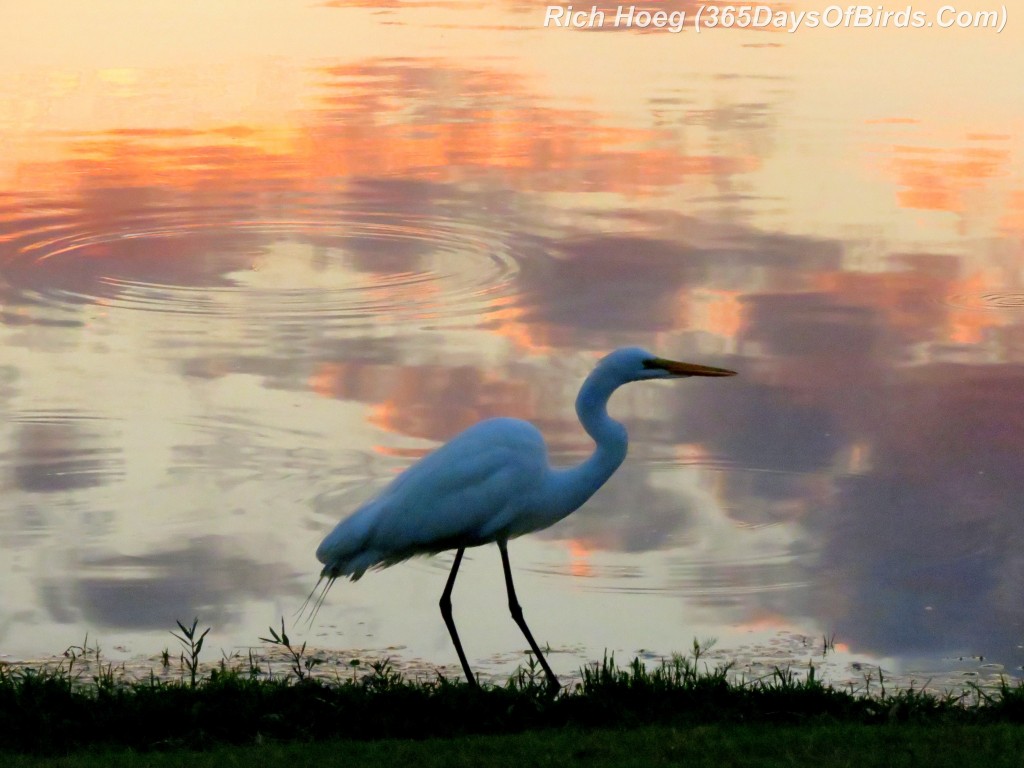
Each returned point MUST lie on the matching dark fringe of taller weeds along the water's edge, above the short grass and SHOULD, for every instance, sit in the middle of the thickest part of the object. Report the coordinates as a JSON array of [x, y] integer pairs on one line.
[[60, 708]]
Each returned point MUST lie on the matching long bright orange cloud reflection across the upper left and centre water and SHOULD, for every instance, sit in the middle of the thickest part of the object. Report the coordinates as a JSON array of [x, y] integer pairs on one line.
[[440, 123]]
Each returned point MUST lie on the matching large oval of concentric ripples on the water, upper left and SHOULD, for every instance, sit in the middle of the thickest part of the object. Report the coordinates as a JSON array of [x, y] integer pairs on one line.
[[343, 269]]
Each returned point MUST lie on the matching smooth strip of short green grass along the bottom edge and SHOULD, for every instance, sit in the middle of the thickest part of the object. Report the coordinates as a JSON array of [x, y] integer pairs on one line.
[[717, 745]]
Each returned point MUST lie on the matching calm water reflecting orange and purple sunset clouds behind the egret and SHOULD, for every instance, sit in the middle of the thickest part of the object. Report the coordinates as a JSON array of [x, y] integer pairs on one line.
[[257, 262]]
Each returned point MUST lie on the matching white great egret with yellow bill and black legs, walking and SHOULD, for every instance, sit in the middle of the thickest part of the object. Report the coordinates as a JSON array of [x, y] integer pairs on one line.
[[491, 484]]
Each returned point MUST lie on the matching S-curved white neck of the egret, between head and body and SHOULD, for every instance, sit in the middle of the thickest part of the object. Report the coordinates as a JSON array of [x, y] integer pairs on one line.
[[575, 486]]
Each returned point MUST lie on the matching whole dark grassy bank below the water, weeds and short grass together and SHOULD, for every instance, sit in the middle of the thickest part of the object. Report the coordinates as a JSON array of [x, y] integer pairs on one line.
[[658, 715]]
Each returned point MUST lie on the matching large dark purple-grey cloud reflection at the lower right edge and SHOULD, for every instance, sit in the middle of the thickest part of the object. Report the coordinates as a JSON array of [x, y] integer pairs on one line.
[[928, 544]]
